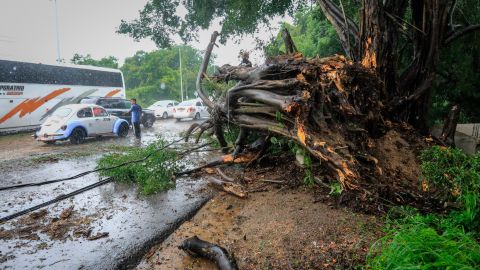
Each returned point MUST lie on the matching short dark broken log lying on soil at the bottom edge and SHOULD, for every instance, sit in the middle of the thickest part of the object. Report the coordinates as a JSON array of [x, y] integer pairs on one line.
[[199, 248]]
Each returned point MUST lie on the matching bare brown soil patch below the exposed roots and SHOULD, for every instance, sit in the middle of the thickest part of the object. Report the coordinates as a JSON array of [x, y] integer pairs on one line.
[[276, 229]]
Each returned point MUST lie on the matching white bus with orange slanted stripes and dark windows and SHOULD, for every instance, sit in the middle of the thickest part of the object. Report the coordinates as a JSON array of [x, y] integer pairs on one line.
[[31, 92]]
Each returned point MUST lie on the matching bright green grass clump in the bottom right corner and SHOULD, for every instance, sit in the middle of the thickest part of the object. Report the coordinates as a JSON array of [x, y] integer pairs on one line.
[[425, 242]]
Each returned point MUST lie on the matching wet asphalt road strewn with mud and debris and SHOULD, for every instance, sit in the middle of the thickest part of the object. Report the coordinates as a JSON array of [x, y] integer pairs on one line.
[[133, 222]]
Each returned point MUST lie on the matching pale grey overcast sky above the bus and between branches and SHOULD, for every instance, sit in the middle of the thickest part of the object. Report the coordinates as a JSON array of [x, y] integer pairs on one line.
[[27, 31]]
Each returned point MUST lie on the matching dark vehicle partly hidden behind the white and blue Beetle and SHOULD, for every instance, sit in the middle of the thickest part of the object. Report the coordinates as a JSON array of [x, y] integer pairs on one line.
[[119, 107]]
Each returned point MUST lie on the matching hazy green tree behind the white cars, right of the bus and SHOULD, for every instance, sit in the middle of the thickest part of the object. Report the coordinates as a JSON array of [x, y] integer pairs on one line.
[[156, 75]]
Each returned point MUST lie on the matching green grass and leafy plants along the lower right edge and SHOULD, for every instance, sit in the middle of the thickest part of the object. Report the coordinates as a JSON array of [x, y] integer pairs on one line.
[[450, 241]]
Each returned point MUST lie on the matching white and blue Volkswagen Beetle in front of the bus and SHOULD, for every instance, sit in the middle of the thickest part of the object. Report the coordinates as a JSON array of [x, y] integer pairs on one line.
[[75, 122]]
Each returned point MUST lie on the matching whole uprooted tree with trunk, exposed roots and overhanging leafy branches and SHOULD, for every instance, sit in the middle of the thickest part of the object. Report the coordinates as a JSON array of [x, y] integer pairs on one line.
[[333, 107]]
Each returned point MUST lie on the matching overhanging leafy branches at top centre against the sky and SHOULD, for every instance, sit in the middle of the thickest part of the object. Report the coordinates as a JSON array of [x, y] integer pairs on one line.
[[159, 20]]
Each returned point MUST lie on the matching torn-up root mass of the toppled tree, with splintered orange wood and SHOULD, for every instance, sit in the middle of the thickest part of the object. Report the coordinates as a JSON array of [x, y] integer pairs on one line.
[[298, 98]]
